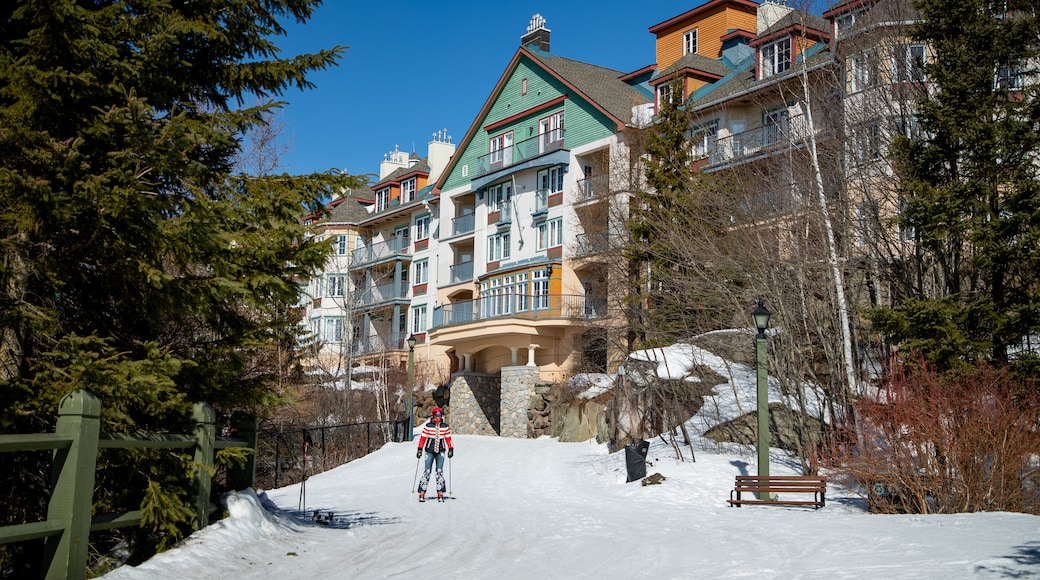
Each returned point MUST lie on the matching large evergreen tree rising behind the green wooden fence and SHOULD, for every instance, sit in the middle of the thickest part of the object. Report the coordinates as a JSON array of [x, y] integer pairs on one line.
[[136, 263]]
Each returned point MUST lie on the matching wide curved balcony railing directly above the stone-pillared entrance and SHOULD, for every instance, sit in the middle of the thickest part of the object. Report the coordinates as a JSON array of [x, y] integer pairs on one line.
[[526, 307]]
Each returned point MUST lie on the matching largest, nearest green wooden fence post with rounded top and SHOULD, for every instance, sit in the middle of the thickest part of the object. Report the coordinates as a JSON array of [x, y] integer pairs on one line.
[[72, 484]]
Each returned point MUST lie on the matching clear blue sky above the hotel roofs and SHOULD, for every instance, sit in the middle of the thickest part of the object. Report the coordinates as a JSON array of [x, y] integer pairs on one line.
[[418, 67]]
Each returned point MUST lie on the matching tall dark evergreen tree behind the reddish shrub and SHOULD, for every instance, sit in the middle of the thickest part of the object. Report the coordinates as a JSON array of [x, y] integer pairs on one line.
[[971, 188]]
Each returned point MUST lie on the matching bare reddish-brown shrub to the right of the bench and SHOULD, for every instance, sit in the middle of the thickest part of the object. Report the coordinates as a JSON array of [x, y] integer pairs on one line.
[[946, 443]]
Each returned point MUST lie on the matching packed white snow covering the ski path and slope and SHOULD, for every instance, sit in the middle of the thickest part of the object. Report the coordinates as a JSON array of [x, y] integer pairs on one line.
[[524, 509]]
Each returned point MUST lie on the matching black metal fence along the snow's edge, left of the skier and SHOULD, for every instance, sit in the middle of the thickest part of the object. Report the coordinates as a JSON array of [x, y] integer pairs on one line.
[[287, 458]]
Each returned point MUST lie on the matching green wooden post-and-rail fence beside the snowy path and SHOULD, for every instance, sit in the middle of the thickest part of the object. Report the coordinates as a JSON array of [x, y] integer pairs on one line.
[[75, 443]]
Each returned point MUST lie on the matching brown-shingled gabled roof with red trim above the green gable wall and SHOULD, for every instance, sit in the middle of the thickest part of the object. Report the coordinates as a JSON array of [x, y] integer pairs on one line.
[[601, 87]]
